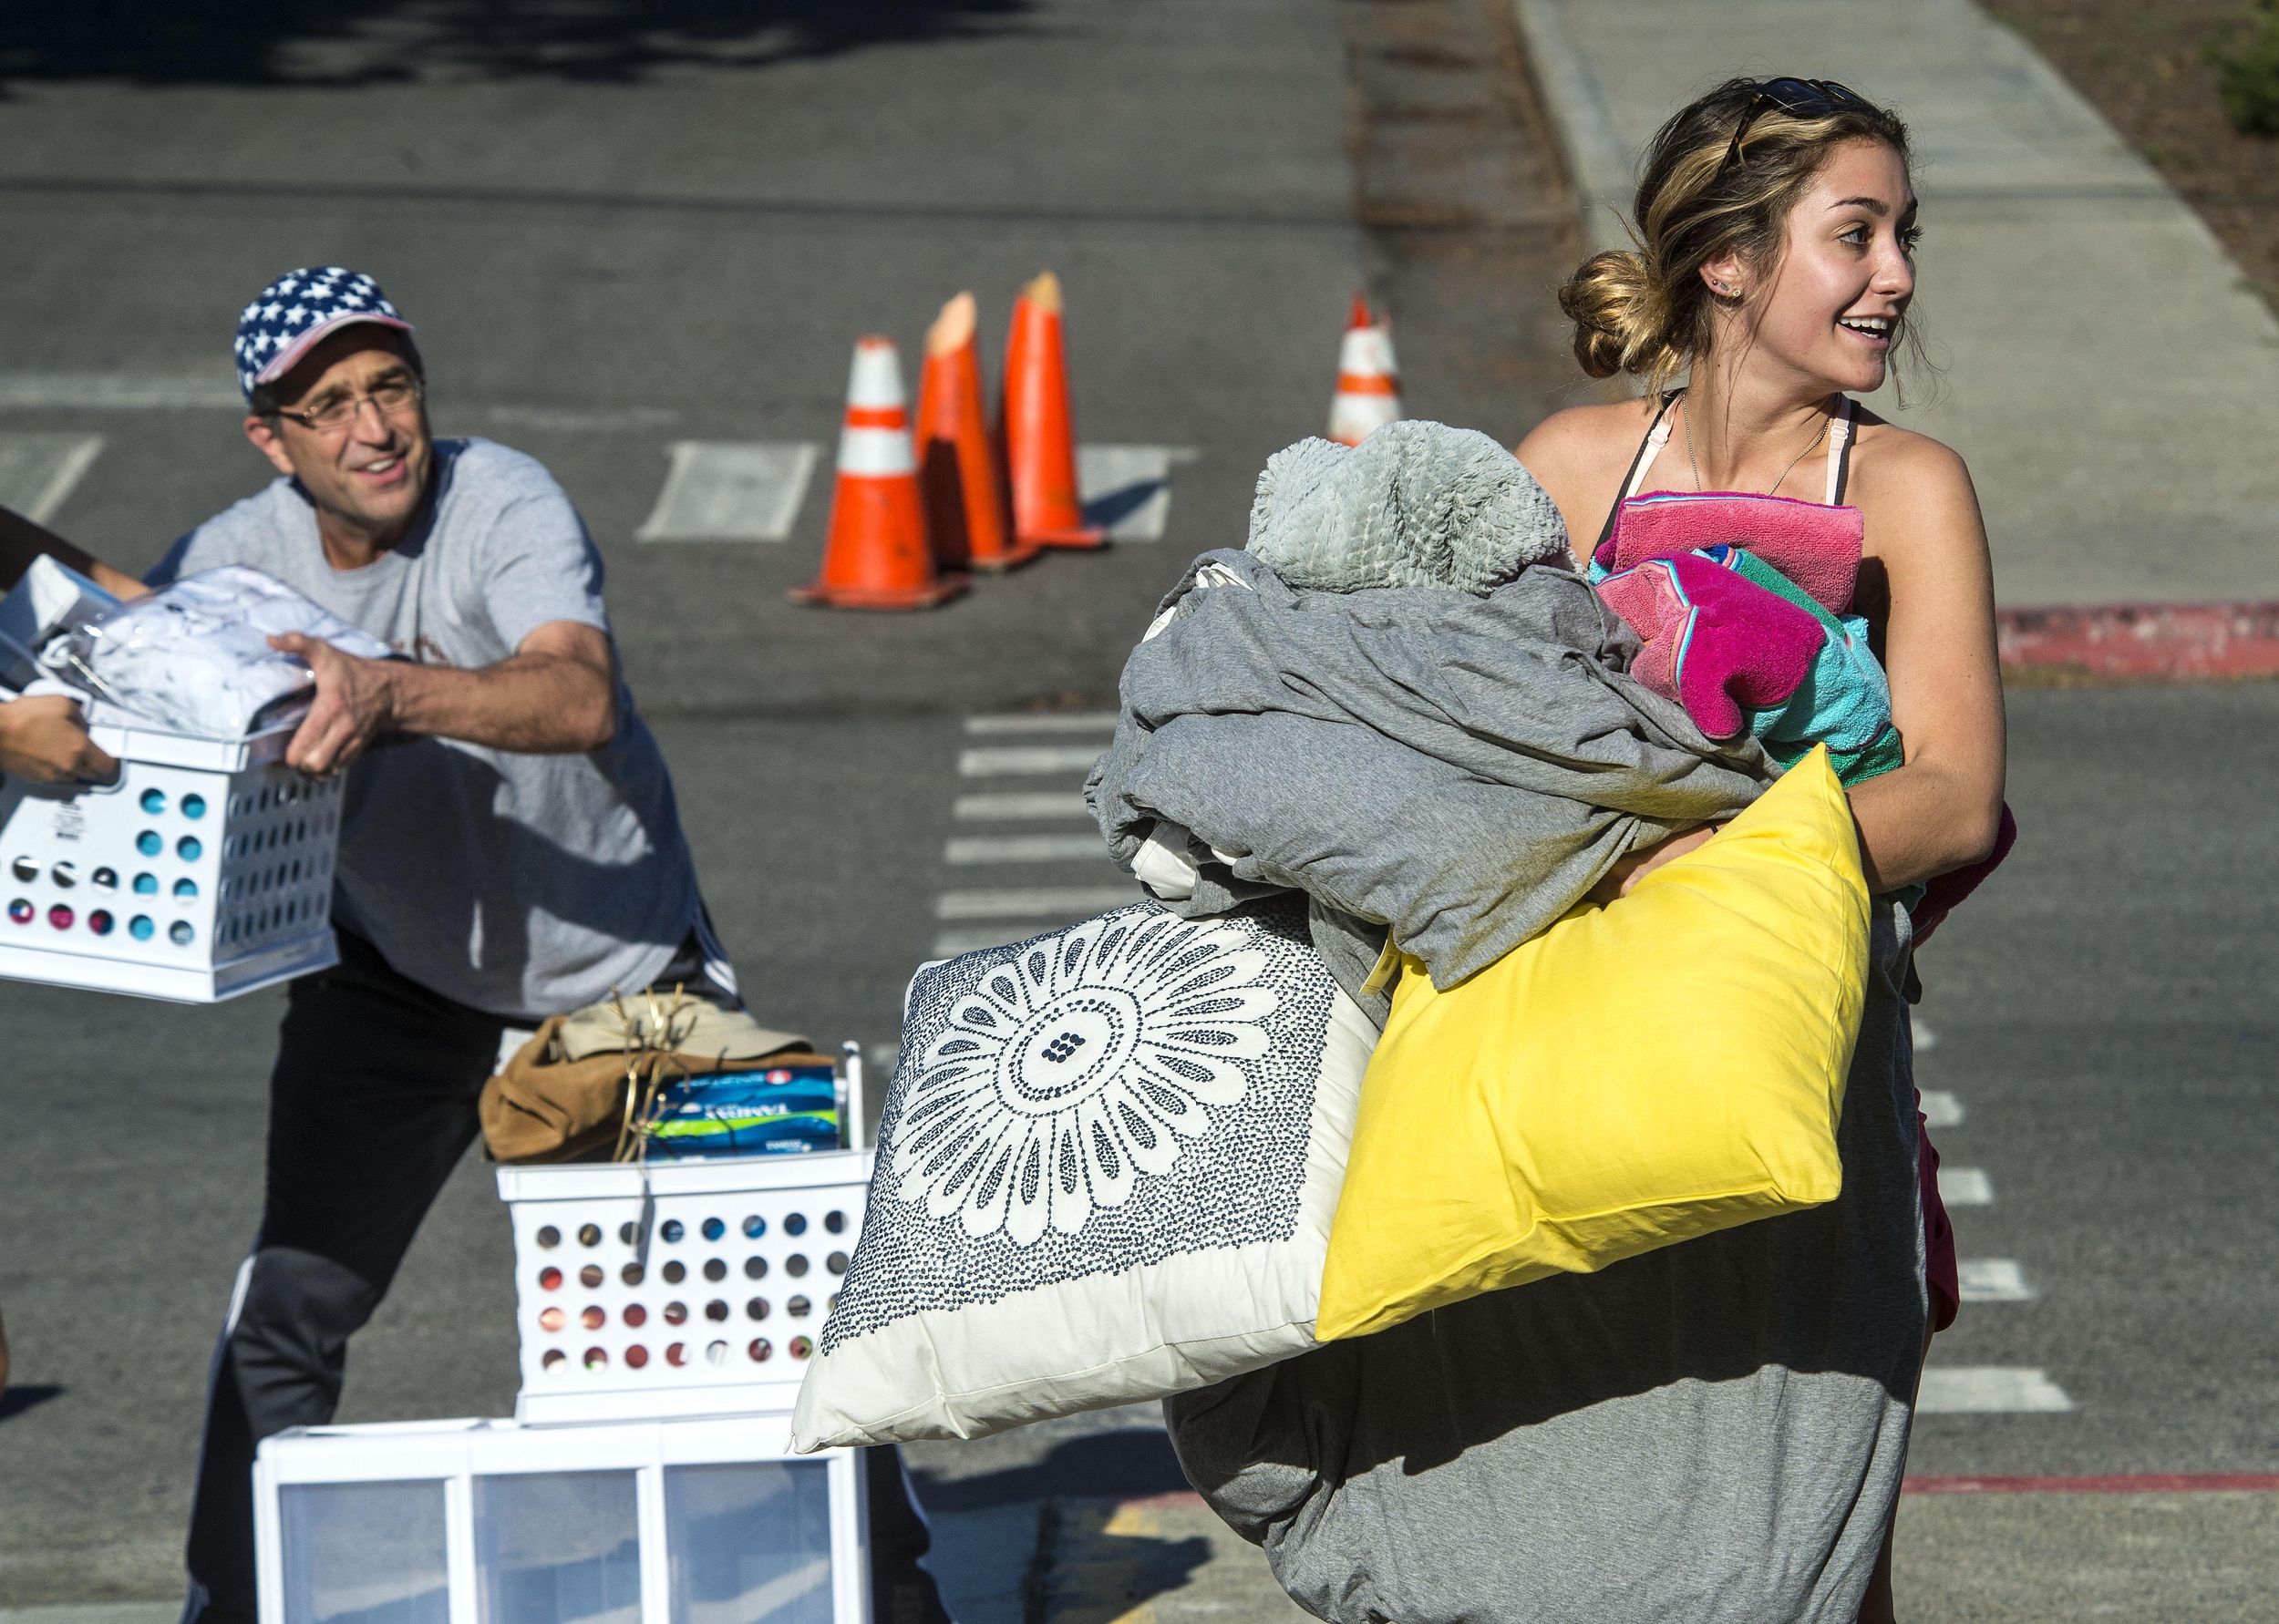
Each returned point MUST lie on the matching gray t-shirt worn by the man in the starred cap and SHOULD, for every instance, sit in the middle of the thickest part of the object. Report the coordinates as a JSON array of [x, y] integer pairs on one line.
[[516, 885]]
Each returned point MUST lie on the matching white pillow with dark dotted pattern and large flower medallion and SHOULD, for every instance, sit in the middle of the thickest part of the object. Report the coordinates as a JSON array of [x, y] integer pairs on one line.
[[1106, 1174]]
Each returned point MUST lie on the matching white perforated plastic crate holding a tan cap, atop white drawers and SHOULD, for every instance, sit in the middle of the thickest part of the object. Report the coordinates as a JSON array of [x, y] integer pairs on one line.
[[678, 1288]]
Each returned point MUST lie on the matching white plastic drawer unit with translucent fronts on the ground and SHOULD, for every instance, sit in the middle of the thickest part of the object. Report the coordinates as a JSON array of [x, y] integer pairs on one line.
[[619, 1523]]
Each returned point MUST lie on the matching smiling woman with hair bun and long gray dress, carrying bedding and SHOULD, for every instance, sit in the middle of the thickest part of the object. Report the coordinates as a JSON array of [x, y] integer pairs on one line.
[[1713, 1432]]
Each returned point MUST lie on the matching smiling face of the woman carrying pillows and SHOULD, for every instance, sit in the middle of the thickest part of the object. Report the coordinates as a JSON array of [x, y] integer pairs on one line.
[[1847, 272]]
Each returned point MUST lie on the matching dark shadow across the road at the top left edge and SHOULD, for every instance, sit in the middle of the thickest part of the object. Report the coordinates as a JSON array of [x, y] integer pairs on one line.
[[382, 42]]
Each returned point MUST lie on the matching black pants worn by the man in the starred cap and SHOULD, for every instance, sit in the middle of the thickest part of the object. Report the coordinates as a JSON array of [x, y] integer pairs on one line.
[[370, 1108]]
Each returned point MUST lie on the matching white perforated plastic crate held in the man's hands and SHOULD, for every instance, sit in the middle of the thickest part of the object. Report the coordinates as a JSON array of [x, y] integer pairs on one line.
[[206, 871]]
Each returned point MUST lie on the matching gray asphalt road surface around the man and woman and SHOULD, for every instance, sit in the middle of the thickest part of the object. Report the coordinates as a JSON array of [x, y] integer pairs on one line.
[[628, 229]]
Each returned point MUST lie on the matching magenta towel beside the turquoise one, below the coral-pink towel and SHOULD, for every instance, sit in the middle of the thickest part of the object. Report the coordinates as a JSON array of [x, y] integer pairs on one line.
[[1715, 641]]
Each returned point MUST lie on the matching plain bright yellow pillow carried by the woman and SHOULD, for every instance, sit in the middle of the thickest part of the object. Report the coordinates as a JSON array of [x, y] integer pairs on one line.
[[1640, 1074]]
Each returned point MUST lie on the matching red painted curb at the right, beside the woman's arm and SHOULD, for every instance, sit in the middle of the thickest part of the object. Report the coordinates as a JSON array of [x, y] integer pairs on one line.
[[2178, 641]]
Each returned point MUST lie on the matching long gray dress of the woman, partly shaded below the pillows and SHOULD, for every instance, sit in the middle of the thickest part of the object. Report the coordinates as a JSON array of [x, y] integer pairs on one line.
[[1708, 1434]]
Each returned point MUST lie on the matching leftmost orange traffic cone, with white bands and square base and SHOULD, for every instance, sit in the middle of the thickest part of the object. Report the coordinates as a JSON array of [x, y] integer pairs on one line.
[[876, 555]]
